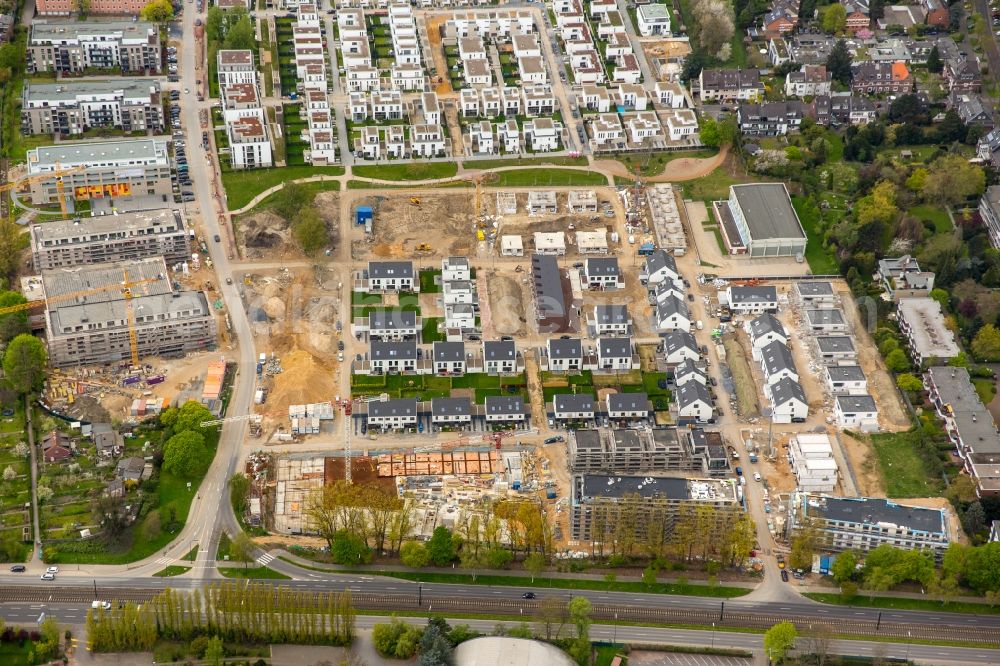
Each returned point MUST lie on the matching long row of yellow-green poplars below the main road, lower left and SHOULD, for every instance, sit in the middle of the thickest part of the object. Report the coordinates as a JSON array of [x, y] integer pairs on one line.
[[255, 612]]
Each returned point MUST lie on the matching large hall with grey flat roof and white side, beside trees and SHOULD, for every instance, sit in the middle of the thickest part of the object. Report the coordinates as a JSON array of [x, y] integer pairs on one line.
[[758, 220]]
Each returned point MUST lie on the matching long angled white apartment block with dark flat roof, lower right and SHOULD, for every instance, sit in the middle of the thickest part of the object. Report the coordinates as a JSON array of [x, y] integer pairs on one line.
[[865, 523]]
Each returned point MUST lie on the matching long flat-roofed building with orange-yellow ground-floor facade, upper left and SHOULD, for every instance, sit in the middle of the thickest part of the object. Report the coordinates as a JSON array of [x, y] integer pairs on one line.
[[124, 168]]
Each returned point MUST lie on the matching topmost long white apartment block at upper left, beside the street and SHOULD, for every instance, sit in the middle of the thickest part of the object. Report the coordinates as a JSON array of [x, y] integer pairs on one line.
[[71, 47]]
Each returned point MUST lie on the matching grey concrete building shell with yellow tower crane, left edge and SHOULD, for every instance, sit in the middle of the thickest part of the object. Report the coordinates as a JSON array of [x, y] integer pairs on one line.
[[91, 309]]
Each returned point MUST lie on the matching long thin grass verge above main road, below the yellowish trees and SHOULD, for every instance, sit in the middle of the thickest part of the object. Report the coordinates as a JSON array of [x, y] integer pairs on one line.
[[686, 589]]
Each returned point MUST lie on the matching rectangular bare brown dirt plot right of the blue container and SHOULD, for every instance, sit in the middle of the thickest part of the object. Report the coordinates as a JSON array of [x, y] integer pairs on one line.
[[443, 221]]
